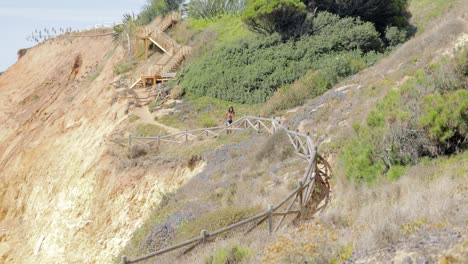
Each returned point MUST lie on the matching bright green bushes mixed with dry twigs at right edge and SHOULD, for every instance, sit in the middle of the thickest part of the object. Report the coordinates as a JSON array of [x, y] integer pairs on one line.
[[426, 117]]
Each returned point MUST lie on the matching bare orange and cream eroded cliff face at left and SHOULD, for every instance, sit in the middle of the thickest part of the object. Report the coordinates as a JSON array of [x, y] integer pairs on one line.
[[63, 196]]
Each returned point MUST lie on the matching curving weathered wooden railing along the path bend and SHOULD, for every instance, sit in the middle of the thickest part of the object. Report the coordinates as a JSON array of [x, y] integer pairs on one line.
[[299, 198]]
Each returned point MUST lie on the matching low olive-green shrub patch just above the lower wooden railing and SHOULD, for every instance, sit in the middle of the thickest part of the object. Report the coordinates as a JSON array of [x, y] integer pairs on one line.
[[214, 220]]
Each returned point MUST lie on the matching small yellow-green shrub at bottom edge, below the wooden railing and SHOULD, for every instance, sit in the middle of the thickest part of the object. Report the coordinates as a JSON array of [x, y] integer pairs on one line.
[[231, 254]]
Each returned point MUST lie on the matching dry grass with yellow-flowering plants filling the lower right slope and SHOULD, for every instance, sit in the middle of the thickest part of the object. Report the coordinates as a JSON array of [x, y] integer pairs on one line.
[[362, 220]]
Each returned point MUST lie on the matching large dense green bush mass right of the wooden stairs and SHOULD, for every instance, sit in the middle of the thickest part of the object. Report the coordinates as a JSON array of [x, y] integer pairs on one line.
[[249, 71]]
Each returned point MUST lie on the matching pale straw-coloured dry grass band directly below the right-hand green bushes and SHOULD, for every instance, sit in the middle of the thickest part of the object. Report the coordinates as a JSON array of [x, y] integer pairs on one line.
[[375, 217]]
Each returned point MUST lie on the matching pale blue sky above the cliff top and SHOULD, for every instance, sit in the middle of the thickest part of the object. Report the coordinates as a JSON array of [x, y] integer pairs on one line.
[[19, 18]]
